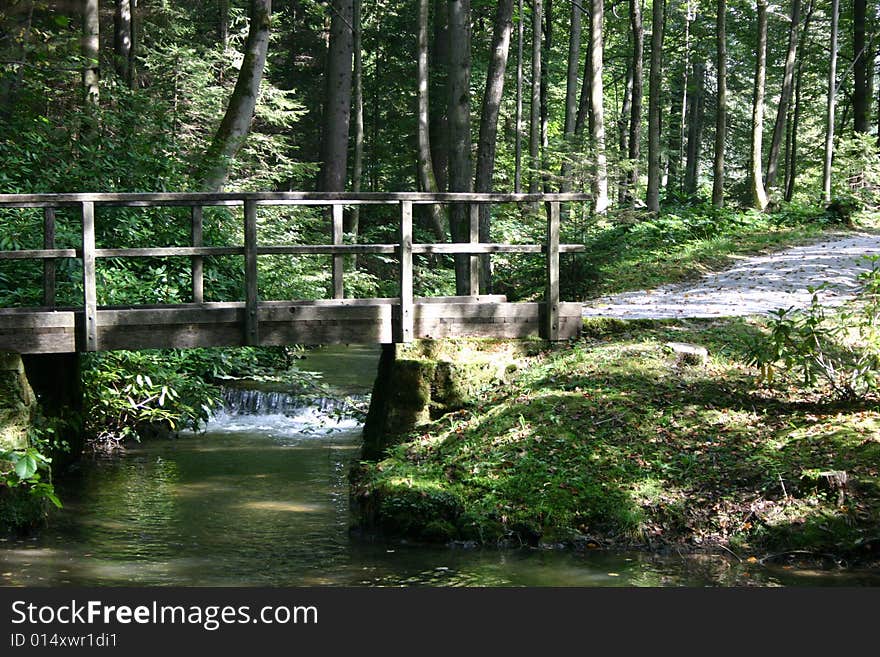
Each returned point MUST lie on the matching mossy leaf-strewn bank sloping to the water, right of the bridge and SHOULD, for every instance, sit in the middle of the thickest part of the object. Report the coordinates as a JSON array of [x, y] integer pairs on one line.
[[618, 440]]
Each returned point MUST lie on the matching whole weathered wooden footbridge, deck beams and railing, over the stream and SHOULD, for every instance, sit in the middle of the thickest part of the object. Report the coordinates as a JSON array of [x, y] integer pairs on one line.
[[89, 327]]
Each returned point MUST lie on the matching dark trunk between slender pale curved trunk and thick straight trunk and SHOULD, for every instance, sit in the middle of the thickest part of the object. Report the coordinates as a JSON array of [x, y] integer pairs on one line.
[[439, 119]]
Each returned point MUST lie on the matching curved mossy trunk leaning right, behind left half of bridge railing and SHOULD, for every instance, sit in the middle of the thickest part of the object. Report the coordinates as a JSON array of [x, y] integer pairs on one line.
[[236, 123]]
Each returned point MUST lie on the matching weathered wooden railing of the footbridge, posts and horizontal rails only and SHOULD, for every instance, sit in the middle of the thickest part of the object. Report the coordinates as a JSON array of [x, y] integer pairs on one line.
[[405, 248]]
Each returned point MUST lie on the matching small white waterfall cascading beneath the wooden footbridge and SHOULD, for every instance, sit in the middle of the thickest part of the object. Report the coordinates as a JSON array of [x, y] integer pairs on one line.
[[282, 414]]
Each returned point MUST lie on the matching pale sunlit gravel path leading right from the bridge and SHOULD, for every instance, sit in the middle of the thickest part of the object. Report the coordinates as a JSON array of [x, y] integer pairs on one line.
[[756, 285]]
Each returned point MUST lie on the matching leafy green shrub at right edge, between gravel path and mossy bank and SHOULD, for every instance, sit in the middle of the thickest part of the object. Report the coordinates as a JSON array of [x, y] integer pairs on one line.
[[838, 349]]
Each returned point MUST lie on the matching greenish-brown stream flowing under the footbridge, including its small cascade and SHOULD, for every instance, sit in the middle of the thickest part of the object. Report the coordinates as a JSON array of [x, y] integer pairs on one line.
[[261, 499]]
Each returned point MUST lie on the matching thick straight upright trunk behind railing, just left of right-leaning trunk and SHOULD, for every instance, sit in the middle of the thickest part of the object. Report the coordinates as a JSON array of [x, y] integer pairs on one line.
[[460, 165]]
